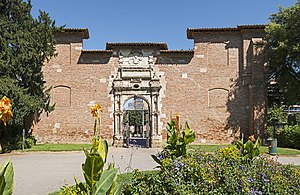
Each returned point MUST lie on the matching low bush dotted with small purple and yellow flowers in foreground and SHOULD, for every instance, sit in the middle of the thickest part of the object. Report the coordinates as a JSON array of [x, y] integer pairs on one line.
[[223, 172]]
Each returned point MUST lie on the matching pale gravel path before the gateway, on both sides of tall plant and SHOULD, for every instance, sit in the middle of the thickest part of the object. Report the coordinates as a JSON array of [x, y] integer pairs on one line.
[[41, 173]]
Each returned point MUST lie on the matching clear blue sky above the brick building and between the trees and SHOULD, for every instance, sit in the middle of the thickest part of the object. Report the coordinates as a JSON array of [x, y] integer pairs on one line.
[[154, 20]]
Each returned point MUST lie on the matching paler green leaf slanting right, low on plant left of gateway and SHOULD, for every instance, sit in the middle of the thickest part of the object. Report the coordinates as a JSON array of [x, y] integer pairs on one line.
[[106, 180]]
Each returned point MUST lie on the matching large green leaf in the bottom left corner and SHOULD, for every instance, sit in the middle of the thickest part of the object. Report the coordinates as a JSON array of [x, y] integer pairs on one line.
[[6, 178]]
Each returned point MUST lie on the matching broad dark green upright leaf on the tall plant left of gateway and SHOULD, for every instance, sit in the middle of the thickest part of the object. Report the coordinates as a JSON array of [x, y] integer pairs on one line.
[[92, 169]]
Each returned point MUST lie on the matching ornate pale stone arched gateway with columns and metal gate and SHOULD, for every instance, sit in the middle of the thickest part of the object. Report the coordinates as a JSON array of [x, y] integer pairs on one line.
[[136, 80]]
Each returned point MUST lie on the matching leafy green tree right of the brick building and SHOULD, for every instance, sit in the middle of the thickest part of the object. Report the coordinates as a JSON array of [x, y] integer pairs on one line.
[[283, 54]]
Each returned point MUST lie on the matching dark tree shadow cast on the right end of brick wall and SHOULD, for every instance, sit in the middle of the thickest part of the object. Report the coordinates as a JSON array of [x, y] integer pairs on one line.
[[247, 99]]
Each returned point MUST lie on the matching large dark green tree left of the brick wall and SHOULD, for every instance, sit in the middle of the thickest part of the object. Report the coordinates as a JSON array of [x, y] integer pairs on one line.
[[25, 44]]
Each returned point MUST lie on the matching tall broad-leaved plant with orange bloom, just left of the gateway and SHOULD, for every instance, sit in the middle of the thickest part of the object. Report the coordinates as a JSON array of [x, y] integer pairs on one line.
[[98, 180]]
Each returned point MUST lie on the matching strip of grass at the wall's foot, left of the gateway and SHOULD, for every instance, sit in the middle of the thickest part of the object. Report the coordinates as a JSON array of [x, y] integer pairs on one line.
[[58, 147]]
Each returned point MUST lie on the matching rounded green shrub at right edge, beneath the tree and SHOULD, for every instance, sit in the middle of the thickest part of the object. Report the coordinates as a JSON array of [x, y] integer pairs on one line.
[[289, 137]]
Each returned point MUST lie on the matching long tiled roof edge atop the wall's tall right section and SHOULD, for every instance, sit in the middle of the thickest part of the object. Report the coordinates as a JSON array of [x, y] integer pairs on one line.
[[191, 31]]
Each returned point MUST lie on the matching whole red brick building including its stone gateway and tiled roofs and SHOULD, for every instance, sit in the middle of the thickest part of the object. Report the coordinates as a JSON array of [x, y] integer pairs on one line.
[[218, 87]]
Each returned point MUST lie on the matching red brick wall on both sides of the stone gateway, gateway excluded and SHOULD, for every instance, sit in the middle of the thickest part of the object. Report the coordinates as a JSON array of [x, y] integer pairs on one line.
[[211, 91]]
